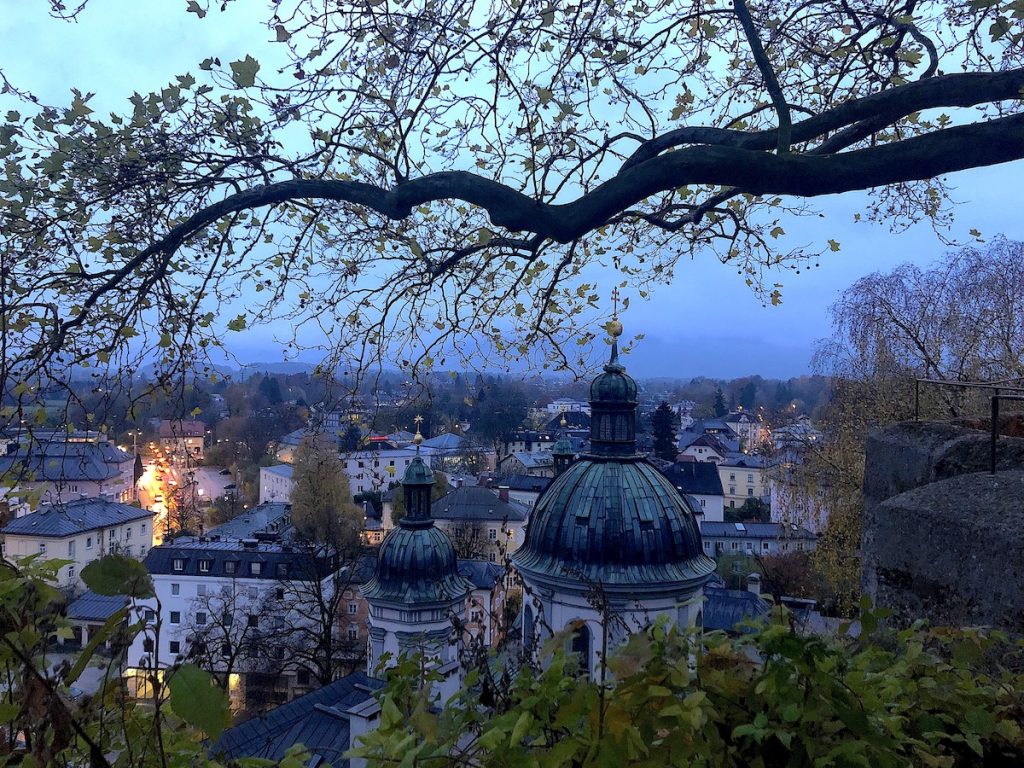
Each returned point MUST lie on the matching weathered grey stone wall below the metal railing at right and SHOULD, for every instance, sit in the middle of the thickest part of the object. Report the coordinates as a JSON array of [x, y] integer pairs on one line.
[[944, 539]]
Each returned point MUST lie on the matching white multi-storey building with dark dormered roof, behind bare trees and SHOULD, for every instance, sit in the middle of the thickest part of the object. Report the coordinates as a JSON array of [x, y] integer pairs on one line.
[[232, 601]]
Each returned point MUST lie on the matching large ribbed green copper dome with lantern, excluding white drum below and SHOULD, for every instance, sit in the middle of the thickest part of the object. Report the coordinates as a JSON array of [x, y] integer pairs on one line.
[[612, 519]]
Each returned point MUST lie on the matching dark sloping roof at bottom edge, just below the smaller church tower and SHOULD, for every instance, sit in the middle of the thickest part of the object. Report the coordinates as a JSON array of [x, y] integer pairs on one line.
[[317, 721]]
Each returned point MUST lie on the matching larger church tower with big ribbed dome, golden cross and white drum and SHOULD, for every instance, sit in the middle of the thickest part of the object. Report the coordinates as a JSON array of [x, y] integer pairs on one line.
[[611, 524]]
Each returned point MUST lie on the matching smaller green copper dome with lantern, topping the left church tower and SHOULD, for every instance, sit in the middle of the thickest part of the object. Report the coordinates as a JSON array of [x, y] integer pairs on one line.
[[417, 563]]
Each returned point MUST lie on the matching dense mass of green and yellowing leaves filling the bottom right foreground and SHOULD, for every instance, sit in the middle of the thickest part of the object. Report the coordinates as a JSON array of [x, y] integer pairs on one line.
[[921, 698]]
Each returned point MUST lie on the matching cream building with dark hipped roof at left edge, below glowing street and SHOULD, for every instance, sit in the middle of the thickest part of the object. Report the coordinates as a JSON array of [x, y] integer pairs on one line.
[[81, 532]]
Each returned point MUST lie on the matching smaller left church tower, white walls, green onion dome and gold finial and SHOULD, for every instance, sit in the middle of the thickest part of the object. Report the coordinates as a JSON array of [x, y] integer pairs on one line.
[[416, 590]]
